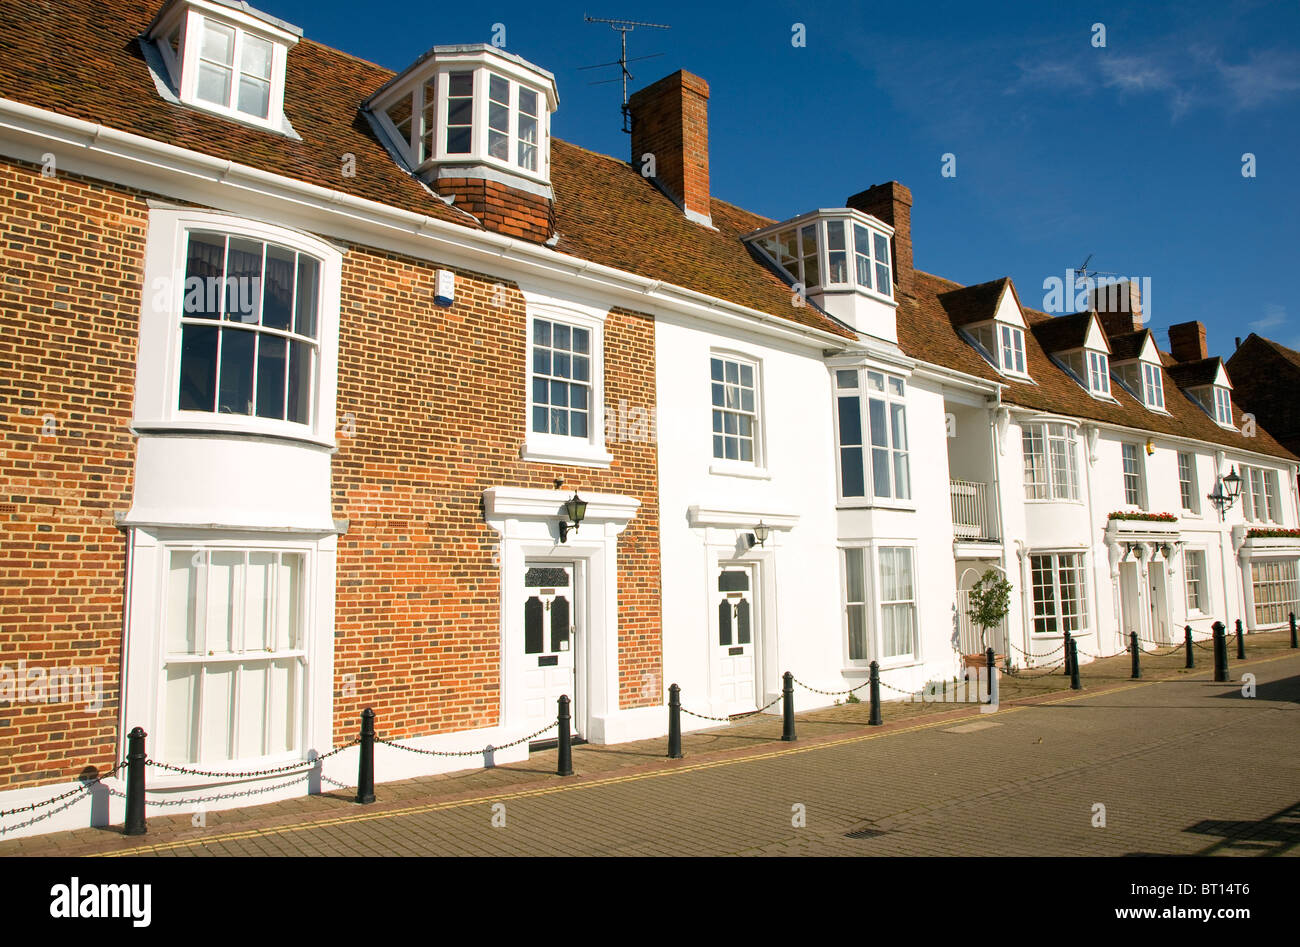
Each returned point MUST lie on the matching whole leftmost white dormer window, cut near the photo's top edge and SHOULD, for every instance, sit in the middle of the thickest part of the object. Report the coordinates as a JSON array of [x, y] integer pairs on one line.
[[224, 59]]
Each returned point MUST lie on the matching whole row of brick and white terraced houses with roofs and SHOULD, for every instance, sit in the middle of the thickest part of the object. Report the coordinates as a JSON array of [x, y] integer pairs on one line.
[[328, 388]]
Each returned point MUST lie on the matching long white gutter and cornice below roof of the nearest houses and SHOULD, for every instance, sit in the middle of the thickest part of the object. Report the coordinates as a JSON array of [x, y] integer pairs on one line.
[[436, 237]]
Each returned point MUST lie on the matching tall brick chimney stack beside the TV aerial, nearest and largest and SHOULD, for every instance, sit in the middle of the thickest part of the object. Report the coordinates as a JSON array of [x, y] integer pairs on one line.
[[670, 122]]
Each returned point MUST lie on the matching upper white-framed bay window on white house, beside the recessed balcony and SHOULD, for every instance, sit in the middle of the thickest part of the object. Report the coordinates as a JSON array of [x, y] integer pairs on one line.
[[873, 430]]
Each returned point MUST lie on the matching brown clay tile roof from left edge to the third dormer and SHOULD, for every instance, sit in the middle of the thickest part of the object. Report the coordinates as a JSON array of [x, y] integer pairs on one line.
[[605, 211]]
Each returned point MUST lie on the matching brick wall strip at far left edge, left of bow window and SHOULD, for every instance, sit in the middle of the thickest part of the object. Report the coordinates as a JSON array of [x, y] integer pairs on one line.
[[72, 253]]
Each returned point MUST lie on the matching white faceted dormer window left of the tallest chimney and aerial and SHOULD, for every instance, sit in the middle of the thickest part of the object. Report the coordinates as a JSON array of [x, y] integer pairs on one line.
[[471, 106]]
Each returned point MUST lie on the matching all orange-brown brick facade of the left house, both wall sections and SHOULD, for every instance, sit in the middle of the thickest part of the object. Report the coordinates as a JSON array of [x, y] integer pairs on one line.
[[431, 405]]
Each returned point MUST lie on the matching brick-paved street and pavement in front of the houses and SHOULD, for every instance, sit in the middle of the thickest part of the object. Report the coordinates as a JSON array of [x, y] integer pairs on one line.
[[1182, 766]]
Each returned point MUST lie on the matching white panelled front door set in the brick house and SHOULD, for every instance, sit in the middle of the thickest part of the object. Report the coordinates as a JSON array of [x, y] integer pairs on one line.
[[551, 641]]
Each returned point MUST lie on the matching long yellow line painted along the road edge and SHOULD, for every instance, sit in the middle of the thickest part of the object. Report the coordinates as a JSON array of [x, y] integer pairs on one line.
[[616, 781]]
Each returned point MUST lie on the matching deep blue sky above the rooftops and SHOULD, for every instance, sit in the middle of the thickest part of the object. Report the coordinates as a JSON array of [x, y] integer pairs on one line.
[[1132, 153]]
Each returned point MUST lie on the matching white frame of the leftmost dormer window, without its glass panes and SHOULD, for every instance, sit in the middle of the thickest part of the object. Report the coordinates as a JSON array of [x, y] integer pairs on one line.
[[192, 21]]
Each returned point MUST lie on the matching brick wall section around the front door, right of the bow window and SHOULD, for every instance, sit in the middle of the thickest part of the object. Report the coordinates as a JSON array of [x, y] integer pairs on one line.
[[439, 403]]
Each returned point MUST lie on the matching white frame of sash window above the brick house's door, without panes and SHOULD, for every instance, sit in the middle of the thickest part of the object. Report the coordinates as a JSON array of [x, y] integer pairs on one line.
[[566, 449]]
